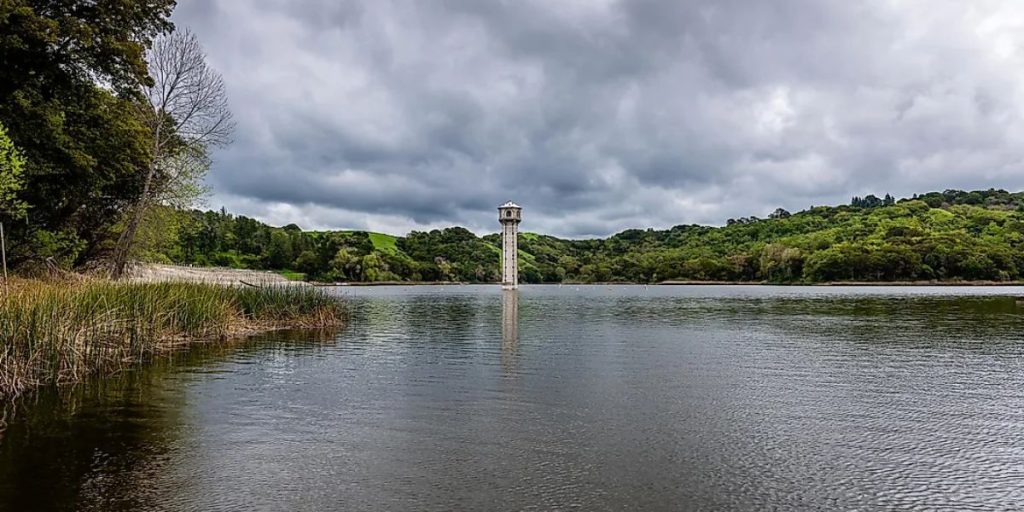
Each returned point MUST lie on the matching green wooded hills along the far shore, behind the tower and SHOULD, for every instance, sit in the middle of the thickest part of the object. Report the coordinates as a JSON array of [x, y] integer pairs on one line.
[[954, 235]]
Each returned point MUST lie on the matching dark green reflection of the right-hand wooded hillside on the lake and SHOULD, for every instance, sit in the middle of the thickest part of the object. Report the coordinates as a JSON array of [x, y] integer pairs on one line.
[[870, 320]]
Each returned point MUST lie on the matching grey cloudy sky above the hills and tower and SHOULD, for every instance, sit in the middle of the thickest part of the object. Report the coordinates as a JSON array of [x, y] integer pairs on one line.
[[603, 115]]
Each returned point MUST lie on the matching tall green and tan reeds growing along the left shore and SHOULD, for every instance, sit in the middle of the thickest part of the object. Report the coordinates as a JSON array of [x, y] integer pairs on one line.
[[60, 332]]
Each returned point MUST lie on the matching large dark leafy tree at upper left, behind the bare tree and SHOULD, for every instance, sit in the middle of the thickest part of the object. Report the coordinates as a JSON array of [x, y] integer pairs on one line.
[[82, 144]]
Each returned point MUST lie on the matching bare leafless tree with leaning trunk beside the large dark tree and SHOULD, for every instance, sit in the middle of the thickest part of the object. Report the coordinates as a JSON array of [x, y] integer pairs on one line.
[[188, 115]]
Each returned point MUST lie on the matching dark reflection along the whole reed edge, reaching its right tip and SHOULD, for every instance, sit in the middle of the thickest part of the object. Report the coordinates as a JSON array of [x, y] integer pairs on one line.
[[100, 446]]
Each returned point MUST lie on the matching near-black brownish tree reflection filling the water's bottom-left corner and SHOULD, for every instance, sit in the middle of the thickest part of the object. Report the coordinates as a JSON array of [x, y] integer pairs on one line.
[[89, 448]]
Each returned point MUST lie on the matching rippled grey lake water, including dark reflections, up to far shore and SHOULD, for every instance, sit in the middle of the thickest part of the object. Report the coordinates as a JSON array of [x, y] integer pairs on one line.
[[560, 398]]
